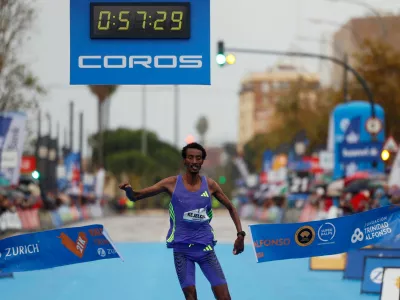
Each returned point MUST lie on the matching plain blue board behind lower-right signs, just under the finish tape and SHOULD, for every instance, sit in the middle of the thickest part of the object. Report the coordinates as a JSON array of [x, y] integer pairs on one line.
[[355, 260]]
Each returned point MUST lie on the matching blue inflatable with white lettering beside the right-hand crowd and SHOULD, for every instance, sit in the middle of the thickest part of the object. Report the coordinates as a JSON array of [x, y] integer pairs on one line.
[[354, 148]]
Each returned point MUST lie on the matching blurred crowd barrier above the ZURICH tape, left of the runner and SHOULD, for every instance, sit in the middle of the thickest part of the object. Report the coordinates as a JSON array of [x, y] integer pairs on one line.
[[35, 219]]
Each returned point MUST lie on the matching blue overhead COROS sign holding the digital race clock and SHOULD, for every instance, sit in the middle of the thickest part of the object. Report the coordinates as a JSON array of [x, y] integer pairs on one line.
[[140, 43]]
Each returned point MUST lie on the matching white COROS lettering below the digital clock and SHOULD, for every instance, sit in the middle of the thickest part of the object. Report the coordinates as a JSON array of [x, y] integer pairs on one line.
[[146, 61]]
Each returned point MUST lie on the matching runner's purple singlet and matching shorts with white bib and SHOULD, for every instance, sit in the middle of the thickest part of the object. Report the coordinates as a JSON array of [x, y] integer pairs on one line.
[[191, 235]]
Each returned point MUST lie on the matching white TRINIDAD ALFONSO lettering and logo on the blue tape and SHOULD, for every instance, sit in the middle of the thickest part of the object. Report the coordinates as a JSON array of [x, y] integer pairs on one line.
[[372, 230]]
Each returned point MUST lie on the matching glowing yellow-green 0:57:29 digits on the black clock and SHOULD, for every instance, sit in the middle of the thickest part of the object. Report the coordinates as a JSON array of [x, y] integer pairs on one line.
[[123, 17]]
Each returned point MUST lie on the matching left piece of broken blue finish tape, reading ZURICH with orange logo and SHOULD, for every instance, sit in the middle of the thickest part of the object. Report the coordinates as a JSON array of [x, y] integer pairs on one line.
[[56, 248]]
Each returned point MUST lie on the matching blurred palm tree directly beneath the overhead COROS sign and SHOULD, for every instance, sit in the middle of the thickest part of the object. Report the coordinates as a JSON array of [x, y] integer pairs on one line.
[[102, 92]]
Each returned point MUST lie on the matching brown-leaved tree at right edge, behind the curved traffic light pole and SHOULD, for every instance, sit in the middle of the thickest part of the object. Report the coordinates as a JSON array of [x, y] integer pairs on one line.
[[379, 64]]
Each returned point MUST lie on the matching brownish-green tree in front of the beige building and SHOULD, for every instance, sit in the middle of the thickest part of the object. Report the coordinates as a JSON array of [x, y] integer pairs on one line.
[[296, 110]]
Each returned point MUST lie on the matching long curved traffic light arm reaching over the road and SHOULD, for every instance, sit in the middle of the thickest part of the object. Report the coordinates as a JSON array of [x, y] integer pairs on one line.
[[345, 65]]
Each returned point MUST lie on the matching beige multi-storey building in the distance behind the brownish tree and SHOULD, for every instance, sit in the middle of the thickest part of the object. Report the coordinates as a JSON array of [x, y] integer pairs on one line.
[[260, 92]]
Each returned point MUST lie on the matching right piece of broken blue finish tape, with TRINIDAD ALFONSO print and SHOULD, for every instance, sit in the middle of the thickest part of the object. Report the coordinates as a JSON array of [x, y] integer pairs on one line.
[[325, 237]]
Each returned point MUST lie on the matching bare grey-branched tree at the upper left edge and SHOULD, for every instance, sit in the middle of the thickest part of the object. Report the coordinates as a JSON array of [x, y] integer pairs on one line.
[[19, 88]]
